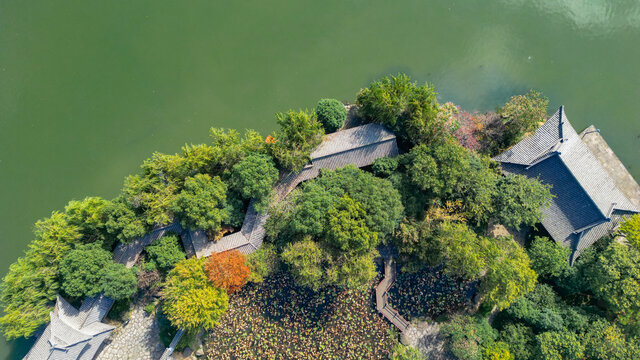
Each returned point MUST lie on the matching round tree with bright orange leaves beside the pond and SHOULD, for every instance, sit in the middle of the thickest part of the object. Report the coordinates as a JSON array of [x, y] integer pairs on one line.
[[227, 270]]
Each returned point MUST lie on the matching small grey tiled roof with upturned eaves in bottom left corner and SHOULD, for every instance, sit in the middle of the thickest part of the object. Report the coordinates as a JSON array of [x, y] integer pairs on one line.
[[73, 334]]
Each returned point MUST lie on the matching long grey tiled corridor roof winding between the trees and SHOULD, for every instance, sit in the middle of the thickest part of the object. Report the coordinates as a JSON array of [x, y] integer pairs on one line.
[[359, 146]]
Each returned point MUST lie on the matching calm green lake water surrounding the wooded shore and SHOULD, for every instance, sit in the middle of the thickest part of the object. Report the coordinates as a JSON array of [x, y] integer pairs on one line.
[[89, 89]]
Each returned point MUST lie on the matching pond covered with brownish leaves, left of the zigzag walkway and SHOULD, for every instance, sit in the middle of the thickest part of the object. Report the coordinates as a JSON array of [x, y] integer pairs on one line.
[[278, 320]]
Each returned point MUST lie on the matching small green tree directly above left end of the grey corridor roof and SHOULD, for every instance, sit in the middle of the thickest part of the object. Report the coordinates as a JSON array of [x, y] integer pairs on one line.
[[123, 224]]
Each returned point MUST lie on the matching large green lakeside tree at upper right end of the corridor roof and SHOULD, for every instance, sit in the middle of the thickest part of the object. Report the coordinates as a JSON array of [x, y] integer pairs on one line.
[[409, 110]]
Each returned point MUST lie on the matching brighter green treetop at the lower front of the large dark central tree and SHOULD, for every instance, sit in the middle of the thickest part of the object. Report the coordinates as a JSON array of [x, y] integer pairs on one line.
[[347, 229]]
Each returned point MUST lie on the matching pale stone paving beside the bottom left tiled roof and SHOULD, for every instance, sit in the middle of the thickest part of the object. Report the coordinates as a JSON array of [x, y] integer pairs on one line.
[[137, 340]]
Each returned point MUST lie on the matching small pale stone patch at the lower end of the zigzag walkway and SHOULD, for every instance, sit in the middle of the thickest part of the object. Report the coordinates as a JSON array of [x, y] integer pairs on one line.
[[426, 338]]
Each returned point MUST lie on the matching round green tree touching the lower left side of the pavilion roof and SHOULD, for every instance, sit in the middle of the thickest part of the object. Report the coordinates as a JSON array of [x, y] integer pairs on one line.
[[519, 201]]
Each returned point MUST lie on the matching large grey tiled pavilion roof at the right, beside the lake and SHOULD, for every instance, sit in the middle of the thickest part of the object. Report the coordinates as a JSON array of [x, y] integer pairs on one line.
[[587, 204]]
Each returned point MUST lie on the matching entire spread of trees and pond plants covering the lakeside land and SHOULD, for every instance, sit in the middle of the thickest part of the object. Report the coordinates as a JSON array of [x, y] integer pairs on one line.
[[307, 293]]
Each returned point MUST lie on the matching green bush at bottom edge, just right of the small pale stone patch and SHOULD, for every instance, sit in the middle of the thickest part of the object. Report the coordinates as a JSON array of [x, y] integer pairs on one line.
[[466, 336]]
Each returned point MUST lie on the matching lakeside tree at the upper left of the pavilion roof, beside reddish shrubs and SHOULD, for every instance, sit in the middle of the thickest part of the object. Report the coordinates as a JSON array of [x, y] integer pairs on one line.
[[522, 114]]
